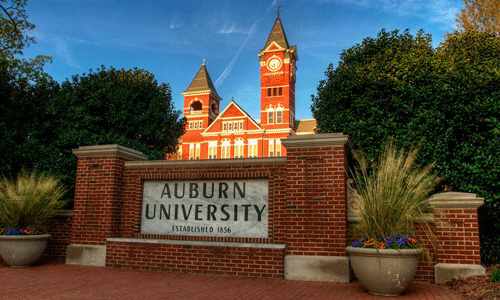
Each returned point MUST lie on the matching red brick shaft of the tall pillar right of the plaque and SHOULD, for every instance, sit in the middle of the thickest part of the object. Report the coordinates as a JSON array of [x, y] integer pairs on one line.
[[316, 201]]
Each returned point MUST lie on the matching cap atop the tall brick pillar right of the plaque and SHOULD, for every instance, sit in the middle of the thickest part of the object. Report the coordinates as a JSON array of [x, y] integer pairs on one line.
[[314, 140]]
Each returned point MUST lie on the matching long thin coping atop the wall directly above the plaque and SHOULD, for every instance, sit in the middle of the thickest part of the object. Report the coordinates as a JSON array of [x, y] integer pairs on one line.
[[206, 162]]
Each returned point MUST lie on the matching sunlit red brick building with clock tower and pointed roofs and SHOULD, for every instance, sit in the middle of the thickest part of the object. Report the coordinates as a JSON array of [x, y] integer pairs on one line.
[[231, 133]]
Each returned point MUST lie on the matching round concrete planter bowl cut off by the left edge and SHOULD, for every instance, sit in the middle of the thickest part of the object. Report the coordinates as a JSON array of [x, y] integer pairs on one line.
[[22, 250]]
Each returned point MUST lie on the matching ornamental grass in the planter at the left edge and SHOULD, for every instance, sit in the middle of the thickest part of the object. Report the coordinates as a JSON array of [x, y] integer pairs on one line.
[[28, 202]]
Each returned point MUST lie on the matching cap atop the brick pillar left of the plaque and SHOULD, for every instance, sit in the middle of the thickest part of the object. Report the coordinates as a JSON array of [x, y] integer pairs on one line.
[[109, 150]]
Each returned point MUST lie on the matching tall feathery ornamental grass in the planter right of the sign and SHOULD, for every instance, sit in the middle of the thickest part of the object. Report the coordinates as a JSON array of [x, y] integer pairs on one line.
[[392, 194]]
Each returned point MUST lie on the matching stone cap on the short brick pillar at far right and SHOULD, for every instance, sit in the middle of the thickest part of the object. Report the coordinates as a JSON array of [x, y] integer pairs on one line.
[[454, 200]]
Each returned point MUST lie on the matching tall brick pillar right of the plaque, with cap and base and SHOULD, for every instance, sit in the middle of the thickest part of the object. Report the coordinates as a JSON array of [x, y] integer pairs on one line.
[[316, 208]]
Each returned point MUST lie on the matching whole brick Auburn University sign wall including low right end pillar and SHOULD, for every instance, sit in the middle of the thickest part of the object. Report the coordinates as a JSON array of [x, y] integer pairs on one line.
[[280, 217]]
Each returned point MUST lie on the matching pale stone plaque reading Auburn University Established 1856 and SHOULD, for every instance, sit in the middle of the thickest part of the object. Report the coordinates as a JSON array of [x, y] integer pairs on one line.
[[226, 208]]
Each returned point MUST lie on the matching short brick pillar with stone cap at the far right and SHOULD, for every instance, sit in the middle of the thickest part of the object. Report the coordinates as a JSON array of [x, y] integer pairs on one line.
[[457, 232]]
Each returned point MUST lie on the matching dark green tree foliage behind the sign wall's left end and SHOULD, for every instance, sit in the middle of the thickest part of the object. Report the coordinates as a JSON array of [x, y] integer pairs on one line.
[[43, 122]]
